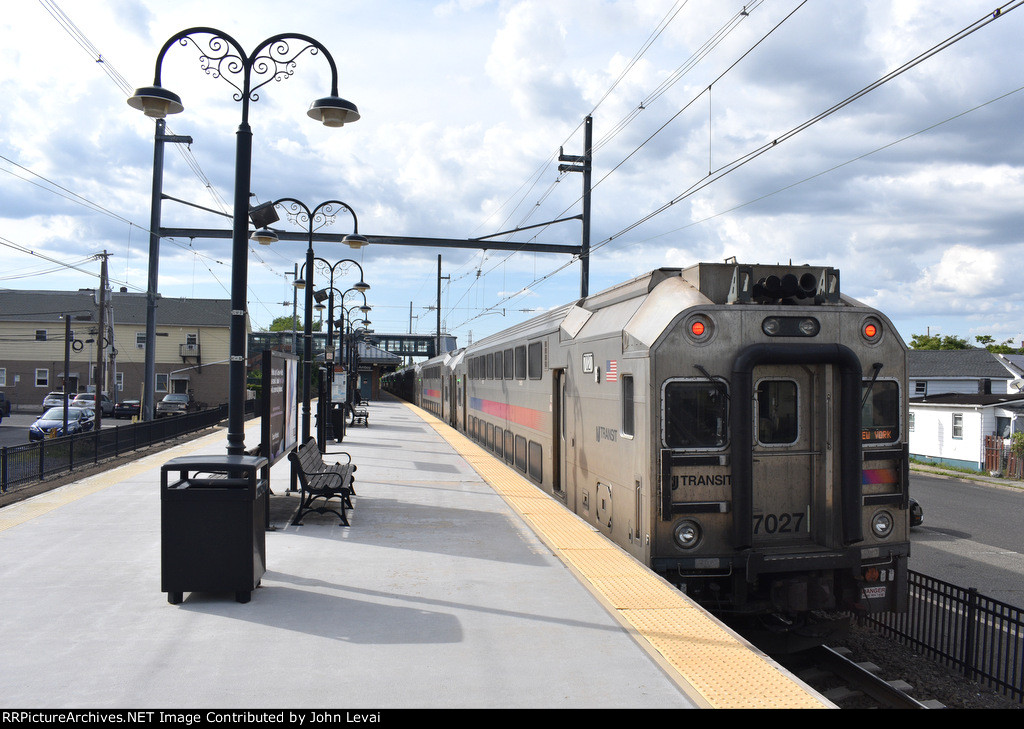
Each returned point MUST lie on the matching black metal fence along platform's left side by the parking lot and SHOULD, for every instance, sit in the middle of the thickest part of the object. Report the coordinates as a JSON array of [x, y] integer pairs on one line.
[[22, 465]]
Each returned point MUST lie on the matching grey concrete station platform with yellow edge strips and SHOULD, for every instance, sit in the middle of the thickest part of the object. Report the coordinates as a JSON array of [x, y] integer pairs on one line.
[[458, 586]]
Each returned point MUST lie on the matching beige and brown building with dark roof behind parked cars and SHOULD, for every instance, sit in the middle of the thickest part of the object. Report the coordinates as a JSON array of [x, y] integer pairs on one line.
[[192, 352]]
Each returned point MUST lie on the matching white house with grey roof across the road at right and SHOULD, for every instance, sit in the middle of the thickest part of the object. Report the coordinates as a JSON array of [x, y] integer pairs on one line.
[[959, 398]]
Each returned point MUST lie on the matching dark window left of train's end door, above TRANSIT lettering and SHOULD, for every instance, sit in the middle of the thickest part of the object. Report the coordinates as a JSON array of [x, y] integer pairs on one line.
[[696, 415]]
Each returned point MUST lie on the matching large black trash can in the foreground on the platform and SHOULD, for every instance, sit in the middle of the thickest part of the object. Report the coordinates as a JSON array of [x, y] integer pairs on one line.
[[212, 526]]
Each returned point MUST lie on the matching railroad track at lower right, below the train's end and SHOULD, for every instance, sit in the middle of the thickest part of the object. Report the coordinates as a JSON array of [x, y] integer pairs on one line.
[[850, 684]]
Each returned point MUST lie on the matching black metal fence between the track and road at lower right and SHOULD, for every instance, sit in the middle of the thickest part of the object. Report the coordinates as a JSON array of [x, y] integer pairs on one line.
[[980, 637]]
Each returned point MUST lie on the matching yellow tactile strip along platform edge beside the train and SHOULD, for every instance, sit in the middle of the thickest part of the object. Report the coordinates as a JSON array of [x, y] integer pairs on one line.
[[708, 660]]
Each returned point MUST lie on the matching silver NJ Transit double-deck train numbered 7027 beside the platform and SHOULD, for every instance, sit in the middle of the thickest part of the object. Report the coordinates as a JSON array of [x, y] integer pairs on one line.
[[740, 430]]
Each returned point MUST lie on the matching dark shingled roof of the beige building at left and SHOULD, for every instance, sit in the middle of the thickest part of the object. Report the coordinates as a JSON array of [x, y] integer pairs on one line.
[[129, 309]]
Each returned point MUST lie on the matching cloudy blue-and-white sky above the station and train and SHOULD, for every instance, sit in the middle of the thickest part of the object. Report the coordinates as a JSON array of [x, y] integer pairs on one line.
[[914, 190]]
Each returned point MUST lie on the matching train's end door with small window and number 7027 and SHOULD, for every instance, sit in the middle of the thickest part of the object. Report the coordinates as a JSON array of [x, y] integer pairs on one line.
[[790, 422]]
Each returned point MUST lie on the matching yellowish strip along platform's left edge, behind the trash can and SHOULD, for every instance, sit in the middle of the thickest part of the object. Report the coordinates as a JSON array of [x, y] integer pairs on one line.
[[20, 512]]
